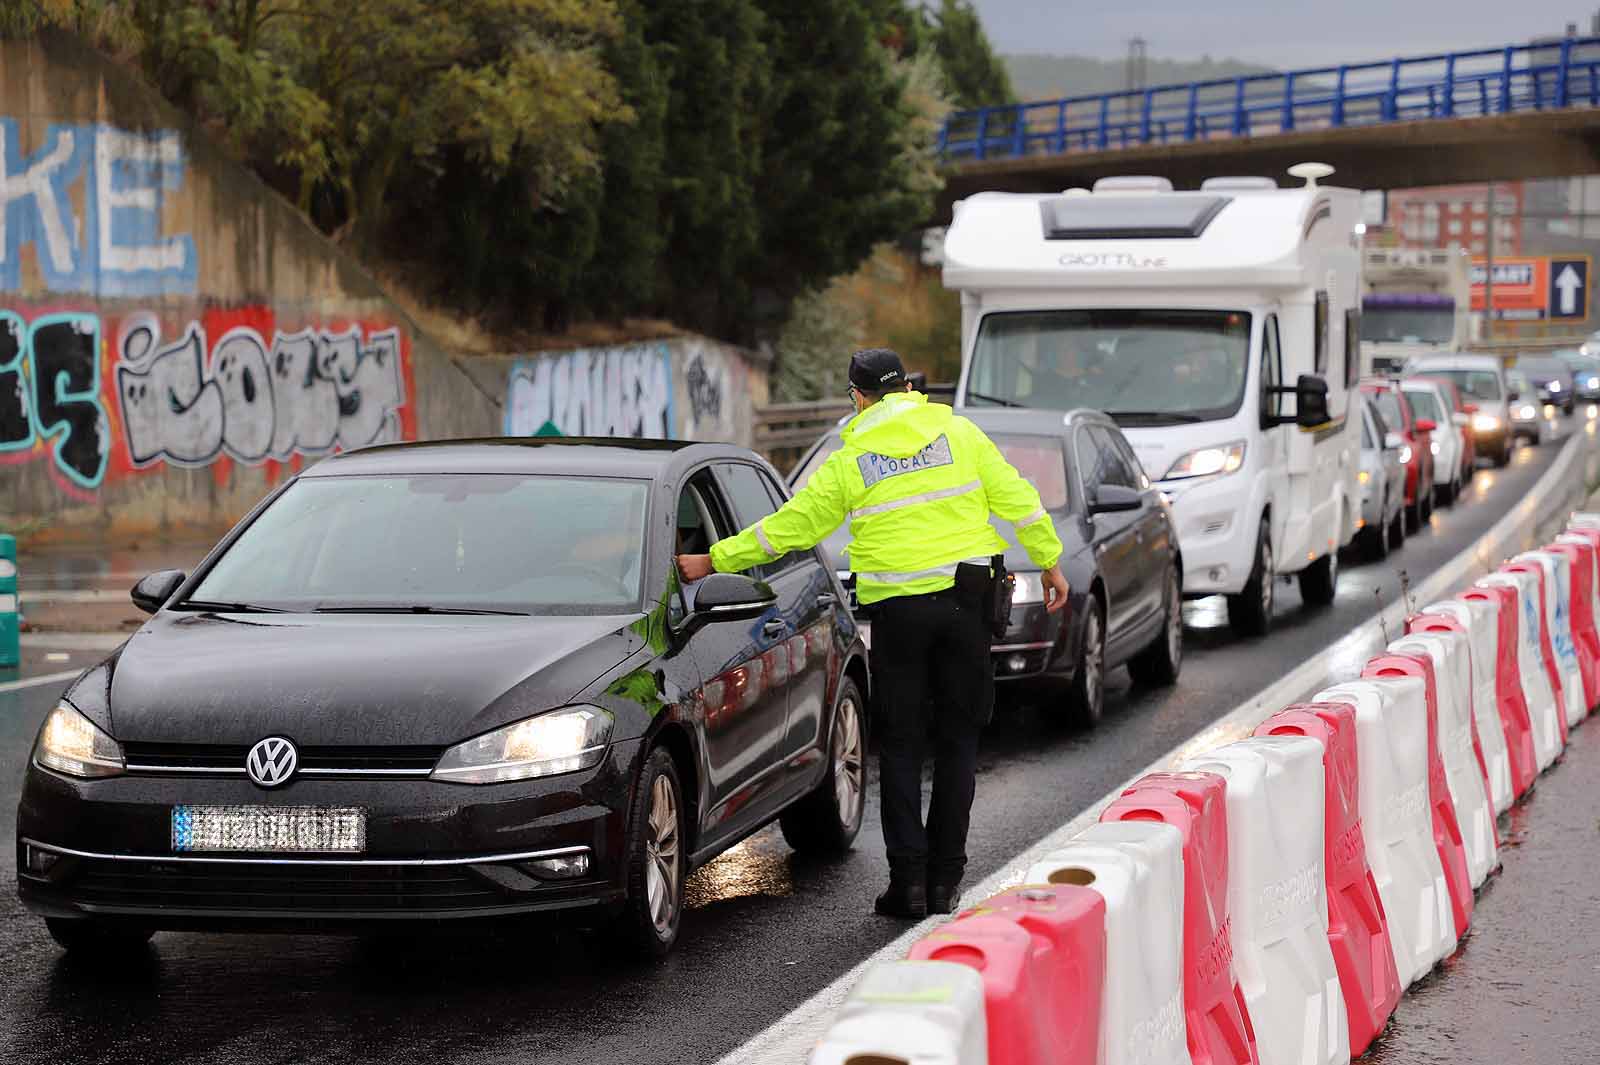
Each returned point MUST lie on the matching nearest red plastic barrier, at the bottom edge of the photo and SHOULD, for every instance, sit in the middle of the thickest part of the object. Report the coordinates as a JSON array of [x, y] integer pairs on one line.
[[1042, 991]]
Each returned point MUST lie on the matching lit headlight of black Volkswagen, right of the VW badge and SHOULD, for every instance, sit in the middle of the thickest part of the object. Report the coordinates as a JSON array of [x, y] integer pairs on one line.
[[562, 741]]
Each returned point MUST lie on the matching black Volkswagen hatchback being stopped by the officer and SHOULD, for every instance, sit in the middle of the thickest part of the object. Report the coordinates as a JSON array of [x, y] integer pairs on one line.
[[452, 680]]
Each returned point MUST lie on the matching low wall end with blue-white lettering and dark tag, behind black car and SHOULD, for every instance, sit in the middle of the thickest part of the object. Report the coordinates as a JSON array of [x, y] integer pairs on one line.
[[686, 389]]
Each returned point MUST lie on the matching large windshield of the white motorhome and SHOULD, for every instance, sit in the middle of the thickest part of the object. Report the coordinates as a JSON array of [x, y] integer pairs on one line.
[[1143, 367]]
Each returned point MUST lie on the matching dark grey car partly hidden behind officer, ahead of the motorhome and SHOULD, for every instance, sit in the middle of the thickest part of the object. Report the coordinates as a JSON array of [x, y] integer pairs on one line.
[[1121, 557]]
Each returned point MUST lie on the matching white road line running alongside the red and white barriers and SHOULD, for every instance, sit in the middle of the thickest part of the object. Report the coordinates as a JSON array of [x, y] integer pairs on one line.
[[791, 1039]]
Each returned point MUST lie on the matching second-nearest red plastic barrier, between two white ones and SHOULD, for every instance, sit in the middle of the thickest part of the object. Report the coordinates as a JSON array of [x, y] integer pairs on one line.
[[1196, 805]]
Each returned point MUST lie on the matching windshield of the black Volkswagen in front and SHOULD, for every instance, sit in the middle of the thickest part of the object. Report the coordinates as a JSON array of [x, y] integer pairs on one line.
[[441, 541]]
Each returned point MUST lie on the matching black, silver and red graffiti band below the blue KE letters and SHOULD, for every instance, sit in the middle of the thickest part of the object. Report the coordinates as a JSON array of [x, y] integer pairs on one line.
[[103, 396]]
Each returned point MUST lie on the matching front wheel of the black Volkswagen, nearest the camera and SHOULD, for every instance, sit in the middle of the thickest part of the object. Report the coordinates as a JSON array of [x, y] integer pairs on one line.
[[657, 863]]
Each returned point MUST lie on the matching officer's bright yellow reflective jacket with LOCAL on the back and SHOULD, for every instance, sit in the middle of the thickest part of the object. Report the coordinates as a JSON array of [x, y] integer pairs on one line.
[[918, 484]]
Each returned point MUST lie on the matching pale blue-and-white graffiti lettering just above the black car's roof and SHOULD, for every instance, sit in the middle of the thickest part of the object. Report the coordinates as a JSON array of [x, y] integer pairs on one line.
[[609, 393]]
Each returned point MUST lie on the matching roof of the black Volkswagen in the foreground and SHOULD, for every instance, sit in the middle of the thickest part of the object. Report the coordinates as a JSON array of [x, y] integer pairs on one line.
[[583, 457]]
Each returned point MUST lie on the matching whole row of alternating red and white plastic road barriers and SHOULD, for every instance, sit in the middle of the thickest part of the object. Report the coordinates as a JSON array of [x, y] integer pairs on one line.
[[1270, 901]]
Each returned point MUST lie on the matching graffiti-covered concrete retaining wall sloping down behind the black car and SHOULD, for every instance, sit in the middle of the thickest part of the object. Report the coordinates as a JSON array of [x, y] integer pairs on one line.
[[177, 340]]
